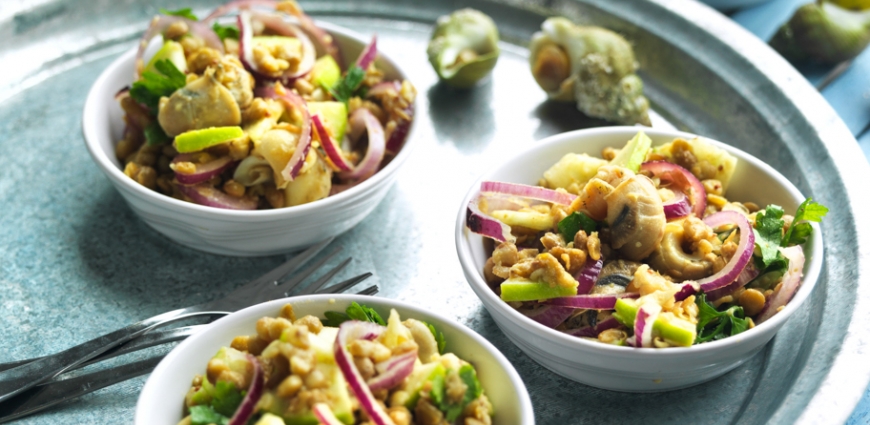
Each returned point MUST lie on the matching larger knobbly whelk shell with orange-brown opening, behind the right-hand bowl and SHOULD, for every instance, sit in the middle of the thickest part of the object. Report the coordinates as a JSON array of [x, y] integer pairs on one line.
[[590, 65]]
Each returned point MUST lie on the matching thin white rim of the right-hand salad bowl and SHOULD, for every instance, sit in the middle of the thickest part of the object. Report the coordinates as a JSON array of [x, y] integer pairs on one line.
[[488, 298]]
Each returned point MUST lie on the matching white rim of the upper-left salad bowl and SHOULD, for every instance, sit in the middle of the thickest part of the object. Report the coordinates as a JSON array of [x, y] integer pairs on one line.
[[92, 120]]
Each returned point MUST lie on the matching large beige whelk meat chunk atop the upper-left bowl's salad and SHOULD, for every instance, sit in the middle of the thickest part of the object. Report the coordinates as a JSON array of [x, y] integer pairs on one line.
[[202, 103]]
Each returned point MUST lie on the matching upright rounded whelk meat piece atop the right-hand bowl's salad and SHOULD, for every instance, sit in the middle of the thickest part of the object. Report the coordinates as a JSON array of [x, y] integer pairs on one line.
[[636, 217]]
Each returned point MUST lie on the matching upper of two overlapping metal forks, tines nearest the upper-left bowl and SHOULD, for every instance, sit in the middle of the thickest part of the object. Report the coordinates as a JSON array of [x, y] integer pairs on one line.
[[264, 288]]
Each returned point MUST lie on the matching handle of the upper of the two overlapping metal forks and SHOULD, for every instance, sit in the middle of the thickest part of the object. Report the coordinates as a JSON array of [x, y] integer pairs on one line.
[[18, 379]]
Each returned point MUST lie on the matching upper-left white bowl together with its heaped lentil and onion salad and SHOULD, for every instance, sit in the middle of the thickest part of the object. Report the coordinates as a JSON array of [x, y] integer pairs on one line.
[[254, 154]]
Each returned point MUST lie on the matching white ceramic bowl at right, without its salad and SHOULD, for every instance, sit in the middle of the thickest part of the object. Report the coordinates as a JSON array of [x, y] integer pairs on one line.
[[625, 368]]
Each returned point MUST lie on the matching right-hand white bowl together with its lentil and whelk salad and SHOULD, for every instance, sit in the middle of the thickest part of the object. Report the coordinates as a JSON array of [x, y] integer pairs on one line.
[[637, 263]]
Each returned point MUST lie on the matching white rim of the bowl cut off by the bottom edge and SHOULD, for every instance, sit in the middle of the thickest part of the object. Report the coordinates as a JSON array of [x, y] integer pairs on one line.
[[526, 410]]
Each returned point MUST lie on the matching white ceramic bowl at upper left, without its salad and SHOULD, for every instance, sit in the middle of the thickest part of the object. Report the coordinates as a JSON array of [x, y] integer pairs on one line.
[[228, 232]]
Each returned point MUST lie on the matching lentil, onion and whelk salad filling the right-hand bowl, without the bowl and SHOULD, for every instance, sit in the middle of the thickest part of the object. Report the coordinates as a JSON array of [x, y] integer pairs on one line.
[[641, 247]]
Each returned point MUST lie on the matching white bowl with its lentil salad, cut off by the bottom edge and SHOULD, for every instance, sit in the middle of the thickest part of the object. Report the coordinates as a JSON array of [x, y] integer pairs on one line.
[[332, 360]]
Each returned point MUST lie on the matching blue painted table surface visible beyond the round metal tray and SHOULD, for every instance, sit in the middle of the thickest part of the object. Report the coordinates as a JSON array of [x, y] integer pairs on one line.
[[848, 92]]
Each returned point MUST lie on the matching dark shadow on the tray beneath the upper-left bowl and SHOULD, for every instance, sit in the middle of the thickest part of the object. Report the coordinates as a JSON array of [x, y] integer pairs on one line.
[[121, 252]]
